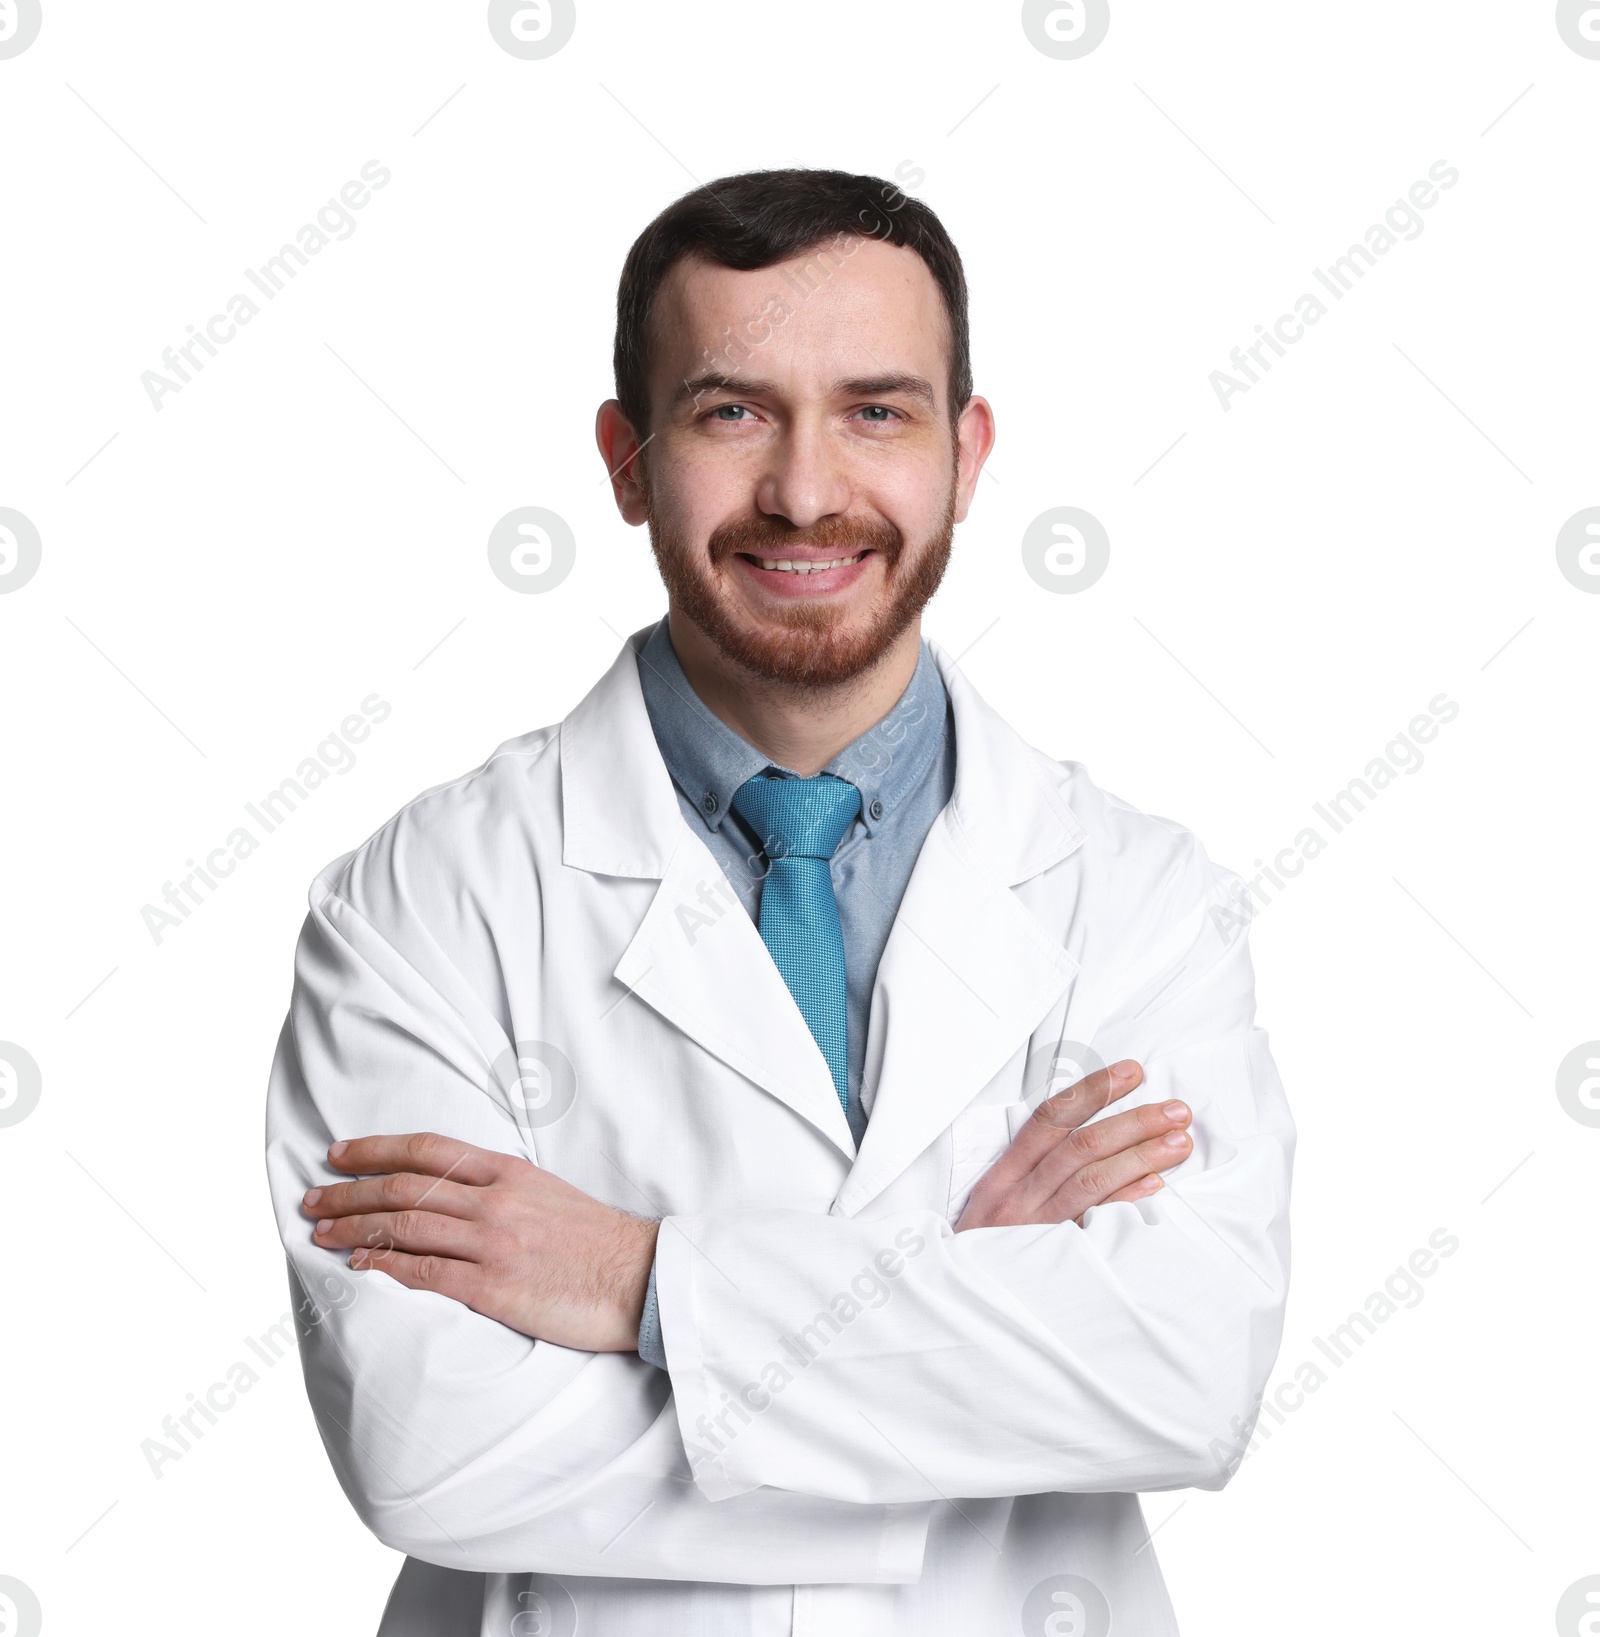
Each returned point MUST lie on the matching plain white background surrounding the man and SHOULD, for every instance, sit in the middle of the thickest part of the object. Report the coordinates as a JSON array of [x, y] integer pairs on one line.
[[305, 523]]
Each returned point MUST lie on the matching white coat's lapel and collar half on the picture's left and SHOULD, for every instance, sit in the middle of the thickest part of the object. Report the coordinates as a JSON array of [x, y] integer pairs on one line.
[[697, 957]]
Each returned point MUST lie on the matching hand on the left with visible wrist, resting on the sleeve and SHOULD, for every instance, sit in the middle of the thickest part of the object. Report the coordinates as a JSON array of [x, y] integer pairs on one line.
[[494, 1232]]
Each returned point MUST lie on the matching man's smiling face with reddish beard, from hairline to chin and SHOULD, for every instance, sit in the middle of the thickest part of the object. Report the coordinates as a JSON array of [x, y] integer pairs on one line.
[[803, 480]]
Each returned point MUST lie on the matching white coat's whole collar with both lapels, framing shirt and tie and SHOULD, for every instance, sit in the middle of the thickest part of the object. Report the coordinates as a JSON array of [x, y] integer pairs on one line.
[[965, 978]]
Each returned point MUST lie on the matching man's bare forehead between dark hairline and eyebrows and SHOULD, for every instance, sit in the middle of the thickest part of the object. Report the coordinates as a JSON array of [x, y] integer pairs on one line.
[[847, 305]]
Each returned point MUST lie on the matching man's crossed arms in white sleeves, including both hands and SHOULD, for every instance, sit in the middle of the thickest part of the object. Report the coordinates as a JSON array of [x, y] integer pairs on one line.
[[1100, 1350]]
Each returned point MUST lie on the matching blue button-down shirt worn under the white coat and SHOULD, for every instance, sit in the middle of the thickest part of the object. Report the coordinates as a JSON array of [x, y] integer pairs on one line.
[[905, 769]]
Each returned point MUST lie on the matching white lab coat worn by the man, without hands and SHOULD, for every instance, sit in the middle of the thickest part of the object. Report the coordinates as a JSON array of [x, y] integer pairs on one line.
[[872, 1425]]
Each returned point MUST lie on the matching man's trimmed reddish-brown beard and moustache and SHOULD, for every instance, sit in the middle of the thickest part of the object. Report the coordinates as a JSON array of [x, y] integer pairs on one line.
[[807, 644]]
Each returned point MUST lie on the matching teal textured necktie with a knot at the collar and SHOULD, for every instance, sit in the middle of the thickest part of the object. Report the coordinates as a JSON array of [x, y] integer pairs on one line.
[[800, 824]]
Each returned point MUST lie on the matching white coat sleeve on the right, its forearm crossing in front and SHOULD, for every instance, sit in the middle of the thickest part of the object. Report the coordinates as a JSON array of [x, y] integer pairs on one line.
[[895, 1360]]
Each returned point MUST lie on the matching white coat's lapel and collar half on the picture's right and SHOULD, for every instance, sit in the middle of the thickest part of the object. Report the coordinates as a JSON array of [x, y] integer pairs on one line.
[[967, 973]]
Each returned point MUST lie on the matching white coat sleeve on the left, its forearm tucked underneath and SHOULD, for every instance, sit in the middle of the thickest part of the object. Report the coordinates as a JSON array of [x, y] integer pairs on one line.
[[458, 1440]]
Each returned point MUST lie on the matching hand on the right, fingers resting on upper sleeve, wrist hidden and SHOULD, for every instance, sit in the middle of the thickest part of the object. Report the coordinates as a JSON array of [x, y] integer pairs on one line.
[[1057, 1166]]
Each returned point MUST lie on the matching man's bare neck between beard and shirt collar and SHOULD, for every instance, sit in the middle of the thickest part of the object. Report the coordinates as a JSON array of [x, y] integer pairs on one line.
[[797, 728]]
